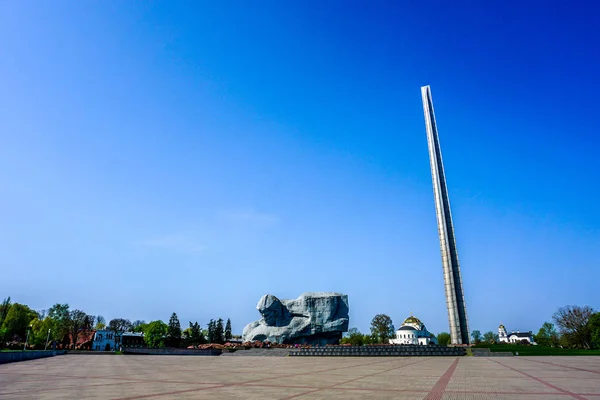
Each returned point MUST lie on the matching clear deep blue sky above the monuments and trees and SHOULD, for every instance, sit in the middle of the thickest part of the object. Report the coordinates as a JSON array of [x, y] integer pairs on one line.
[[191, 157]]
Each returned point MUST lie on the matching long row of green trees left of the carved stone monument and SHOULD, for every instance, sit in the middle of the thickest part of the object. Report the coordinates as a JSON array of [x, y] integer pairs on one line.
[[63, 325]]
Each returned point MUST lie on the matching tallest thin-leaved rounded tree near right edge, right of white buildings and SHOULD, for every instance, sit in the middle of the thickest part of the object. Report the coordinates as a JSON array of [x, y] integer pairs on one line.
[[573, 324]]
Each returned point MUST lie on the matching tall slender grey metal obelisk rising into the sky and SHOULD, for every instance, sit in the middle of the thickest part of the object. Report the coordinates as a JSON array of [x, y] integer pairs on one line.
[[455, 301]]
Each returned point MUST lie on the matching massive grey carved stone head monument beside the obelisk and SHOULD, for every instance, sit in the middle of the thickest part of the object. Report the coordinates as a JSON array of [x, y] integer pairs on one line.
[[313, 318]]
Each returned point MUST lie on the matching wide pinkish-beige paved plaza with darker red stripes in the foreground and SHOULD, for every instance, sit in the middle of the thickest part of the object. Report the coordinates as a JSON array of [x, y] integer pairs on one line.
[[189, 377]]
